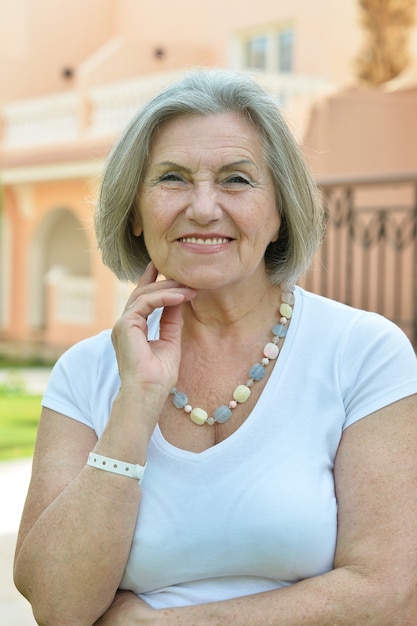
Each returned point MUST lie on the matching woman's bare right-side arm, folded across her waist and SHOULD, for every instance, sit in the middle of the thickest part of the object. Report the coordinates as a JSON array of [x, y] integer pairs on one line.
[[374, 582]]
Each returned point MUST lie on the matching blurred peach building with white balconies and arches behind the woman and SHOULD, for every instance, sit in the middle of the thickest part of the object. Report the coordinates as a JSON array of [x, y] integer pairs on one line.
[[71, 83]]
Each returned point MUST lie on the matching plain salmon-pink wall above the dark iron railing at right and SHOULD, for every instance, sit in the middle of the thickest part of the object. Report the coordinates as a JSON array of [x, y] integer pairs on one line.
[[363, 132]]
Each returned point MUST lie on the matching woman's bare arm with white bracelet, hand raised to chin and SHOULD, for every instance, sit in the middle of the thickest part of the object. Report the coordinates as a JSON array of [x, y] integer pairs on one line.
[[78, 522]]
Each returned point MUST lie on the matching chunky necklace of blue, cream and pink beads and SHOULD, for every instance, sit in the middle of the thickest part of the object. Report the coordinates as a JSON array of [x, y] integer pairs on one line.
[[257, 372]]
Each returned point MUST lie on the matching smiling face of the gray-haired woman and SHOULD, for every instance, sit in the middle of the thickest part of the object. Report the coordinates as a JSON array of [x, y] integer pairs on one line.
[[207, 206]]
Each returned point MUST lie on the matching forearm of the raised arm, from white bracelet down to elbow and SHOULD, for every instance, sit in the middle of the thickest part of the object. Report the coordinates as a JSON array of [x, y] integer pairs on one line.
[[71, 562]]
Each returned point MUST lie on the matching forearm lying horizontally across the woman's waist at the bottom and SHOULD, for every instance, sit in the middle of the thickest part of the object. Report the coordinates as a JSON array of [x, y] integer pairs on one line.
[[339, 598]]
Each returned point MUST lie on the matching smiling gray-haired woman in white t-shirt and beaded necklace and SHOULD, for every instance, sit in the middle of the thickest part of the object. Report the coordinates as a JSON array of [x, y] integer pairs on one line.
[[236, 450]]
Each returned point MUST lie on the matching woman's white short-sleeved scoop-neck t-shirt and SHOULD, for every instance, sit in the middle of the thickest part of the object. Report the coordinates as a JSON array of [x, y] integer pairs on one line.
[[257, 511]]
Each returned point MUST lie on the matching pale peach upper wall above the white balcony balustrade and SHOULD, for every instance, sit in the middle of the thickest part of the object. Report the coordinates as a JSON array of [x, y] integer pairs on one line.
[[110, 40]]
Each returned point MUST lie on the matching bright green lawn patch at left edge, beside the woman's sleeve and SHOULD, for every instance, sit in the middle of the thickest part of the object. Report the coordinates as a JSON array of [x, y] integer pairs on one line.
[[19, 416]]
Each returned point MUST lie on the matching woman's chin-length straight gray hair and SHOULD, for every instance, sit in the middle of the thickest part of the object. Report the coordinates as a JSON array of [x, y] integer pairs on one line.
[[209, 92]]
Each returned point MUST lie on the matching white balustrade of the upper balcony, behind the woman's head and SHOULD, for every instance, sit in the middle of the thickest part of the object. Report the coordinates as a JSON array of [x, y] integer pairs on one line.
[[103, 111]]
